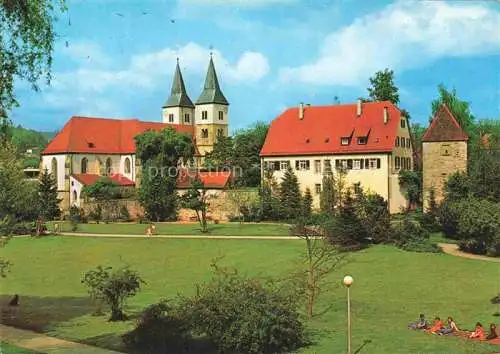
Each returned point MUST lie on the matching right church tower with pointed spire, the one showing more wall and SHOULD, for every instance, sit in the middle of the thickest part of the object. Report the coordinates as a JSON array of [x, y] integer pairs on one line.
[[211, 113]]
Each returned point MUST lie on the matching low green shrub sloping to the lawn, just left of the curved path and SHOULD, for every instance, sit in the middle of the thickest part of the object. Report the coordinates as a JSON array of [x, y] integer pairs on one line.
[[412, 237]]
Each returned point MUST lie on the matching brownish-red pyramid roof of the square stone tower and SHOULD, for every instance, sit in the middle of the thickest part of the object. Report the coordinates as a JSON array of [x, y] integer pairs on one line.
[[444, 127]]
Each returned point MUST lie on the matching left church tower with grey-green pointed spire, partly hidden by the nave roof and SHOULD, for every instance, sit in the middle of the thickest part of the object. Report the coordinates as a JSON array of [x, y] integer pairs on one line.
[[178, 109]]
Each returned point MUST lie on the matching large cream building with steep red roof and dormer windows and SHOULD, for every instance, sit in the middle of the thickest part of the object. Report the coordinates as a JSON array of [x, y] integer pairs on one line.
[[371, 141]]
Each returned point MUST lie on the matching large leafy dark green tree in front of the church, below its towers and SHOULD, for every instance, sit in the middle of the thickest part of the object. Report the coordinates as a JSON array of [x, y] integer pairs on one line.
[[160, 154]]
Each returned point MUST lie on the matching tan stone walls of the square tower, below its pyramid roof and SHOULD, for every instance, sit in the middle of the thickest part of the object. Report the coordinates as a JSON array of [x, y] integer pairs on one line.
[[440, 159]]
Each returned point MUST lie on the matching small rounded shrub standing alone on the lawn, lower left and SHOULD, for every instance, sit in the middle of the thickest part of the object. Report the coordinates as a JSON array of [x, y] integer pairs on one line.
[[113, 287]]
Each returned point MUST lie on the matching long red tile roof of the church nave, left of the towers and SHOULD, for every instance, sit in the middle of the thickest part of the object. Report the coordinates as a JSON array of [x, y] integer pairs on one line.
[[103, 135]]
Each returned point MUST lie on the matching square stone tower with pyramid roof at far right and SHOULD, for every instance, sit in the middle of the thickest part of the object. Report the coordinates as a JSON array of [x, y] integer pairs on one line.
[[444, 151]]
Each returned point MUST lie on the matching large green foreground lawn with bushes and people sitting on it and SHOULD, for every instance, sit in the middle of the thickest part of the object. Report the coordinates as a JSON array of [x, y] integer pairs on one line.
[[391, 288]]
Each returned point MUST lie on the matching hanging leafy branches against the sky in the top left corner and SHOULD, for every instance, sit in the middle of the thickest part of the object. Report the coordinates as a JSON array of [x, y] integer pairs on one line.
[[26, 45]]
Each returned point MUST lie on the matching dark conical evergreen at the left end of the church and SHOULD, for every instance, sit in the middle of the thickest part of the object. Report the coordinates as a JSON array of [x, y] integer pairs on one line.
[[48, 202]]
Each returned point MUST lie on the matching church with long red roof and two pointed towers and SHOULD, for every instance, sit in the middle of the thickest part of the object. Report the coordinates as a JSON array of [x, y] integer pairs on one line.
[[88, 148]]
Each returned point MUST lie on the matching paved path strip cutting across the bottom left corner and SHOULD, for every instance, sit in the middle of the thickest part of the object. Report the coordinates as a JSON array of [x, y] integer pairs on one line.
[[45, 344]]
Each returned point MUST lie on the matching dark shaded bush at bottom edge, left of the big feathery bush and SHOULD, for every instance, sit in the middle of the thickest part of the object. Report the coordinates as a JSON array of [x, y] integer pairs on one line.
[[160, 329]]
